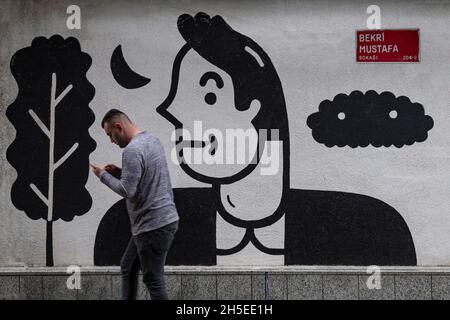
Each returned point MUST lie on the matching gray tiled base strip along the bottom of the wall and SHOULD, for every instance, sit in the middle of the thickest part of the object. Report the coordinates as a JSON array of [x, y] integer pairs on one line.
[[211, 283]]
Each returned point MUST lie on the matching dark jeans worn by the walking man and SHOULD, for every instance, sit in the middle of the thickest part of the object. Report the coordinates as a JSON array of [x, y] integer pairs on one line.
[[147, 251]]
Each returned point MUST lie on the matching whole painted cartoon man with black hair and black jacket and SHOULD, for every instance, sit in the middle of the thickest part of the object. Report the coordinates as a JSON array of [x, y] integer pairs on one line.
[[225, 80]]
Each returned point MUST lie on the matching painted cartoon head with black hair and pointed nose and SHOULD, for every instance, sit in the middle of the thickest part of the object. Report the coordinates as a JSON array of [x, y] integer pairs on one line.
[[238, 100]]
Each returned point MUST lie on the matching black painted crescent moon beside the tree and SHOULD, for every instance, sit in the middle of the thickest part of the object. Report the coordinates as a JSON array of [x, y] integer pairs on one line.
[[122, 72]]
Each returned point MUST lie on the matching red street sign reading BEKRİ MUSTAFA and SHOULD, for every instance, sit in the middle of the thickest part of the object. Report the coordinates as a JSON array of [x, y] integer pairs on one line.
[[387, 45]]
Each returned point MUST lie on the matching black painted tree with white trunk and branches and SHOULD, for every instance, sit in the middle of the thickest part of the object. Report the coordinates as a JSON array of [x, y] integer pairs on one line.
[[51, 116]]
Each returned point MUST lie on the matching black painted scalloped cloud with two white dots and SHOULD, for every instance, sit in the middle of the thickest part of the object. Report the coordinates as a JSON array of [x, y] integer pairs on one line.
[[361, 119]]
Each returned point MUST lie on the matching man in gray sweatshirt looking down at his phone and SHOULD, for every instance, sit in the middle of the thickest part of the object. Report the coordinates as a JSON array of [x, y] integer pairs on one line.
[[144, 181]]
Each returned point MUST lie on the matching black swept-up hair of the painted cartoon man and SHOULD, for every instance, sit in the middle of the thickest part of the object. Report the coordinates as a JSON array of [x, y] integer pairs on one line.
[[252, 72]]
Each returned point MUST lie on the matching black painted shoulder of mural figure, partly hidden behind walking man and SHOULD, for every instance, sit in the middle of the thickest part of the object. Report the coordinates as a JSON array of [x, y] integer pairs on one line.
[[194, 243]]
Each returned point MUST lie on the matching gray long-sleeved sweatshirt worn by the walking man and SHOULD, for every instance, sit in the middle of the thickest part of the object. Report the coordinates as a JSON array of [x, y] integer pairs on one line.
[[145, 183]]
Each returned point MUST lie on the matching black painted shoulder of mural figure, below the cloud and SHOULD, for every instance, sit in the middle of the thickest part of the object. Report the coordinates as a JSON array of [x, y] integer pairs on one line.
[[337, 228]]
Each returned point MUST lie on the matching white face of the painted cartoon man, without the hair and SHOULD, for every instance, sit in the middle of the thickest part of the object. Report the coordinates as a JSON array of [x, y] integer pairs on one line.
[[211, 116]]
